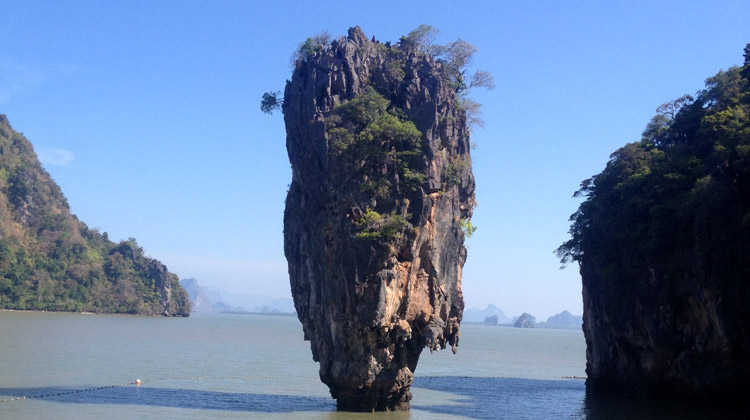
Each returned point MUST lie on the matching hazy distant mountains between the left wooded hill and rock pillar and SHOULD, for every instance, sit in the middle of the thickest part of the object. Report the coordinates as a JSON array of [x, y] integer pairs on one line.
[[207, 300]]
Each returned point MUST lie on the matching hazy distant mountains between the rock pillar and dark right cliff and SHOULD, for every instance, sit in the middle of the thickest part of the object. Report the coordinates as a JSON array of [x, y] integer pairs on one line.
[[492, 315]]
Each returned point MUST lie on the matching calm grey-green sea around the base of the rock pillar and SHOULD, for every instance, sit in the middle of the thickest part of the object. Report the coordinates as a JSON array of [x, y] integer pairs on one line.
[[71, 366]]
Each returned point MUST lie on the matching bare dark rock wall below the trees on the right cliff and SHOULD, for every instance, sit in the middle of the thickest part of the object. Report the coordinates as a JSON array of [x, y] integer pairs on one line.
[[684, 339]]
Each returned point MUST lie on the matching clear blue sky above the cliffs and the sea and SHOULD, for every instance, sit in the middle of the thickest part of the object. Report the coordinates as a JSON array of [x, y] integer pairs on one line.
[[146, 113]]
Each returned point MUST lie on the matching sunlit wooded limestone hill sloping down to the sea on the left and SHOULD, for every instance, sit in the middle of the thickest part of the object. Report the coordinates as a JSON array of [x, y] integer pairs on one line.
[[49, 260]]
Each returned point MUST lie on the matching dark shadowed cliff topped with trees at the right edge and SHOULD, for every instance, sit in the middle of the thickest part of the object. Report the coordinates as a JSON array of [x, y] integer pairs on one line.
[[663, 242]]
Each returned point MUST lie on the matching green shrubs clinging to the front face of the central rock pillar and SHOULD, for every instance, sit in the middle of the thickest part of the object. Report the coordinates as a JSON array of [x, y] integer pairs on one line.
[[371, 145]]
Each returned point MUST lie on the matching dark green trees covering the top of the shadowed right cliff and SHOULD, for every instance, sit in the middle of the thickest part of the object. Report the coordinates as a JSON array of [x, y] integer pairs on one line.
[[684, 187]]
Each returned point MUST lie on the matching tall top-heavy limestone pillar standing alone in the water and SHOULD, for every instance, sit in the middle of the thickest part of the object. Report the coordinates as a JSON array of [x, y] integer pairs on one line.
[[371, 294]]
